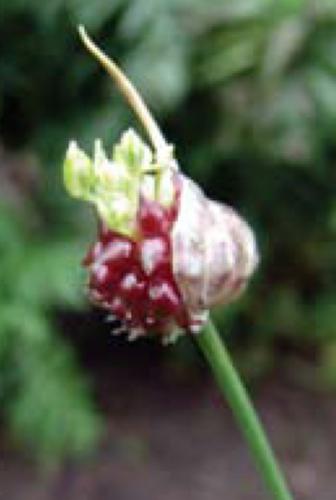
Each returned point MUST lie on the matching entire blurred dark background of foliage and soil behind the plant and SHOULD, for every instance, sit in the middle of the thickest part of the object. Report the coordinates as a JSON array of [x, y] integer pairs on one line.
[[247, 92]]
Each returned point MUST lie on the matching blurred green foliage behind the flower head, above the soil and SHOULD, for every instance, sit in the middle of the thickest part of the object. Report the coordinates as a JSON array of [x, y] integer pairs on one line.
[[247, 91]]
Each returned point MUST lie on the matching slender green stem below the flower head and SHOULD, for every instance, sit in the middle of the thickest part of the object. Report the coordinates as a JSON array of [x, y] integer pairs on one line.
[[232, 388]]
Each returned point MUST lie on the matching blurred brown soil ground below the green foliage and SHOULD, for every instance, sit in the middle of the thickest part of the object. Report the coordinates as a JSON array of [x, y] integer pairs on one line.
[[170, 437]]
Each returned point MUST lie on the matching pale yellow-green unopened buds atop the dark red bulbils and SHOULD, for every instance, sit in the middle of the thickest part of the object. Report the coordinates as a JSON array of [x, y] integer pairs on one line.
[[114, 184]]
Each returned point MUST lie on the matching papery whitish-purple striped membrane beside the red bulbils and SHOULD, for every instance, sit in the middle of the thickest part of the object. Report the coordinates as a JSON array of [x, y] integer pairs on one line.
[[214, 252]]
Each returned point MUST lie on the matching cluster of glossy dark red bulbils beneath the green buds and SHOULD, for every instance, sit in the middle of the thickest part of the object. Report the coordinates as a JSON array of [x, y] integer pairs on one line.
[[133, 278]]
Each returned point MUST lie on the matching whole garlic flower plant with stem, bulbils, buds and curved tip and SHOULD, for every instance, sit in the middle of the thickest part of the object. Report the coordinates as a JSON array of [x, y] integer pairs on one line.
[[165, 253]]
